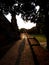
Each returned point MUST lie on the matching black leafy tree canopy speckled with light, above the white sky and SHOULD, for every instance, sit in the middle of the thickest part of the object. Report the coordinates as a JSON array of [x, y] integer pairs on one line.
[[28, 8]]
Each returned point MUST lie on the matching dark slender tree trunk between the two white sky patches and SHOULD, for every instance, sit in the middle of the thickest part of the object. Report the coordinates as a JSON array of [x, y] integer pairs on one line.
[[14, 24]]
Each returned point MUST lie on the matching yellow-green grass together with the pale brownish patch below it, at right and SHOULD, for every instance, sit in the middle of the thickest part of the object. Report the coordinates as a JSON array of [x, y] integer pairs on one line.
[[42, 39]]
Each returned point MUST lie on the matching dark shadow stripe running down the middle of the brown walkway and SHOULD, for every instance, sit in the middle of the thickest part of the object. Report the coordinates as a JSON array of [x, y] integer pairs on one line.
[[20, 50]]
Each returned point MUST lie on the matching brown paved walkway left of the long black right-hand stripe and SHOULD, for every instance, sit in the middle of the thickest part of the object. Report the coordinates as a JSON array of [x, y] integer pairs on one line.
[[19, 54]]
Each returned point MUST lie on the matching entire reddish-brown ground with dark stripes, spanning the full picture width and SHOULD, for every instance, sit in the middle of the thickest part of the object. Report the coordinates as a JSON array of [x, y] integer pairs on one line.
[[26, 51]]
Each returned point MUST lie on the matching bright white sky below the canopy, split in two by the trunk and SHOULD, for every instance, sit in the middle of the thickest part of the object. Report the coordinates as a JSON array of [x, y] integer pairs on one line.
[[21, 23]]
